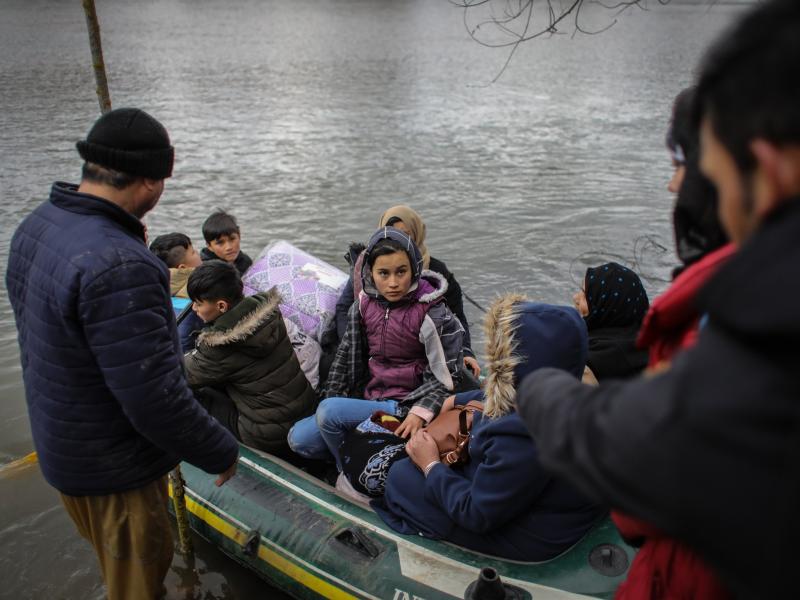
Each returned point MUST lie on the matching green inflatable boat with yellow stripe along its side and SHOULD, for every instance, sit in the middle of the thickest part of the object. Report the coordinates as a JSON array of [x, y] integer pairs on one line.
[[310, 541]]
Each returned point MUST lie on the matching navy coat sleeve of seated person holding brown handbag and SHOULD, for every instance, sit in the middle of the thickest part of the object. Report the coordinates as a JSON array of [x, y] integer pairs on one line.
[[505, 485]]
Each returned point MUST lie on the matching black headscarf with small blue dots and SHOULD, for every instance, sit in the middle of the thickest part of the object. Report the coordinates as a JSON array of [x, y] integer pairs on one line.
[[615, 296]]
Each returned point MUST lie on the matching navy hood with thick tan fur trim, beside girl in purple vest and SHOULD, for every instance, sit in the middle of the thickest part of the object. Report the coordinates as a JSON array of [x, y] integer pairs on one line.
[[523, 336]]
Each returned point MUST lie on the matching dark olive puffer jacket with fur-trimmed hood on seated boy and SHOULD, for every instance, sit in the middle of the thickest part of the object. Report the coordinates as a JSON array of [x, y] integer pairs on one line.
[[247, 352]]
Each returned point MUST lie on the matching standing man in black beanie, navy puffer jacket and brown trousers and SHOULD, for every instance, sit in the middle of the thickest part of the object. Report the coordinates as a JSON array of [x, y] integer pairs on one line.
[[109, 406]]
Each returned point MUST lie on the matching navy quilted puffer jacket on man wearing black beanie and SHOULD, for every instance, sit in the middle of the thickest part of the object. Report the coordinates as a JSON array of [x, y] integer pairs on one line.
[[108, 402]]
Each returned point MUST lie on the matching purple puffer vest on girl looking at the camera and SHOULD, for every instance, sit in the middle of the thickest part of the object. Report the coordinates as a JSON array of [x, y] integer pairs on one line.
[[397, 358]]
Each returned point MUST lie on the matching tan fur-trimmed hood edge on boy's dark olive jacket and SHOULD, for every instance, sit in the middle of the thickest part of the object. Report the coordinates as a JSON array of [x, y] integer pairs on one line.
[[243, 321]]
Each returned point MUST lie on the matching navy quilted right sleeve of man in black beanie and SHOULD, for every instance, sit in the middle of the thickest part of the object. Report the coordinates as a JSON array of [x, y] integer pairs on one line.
[[130, 331]]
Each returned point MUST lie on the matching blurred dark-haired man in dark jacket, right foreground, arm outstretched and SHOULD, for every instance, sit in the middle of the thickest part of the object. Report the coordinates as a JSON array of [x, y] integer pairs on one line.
[[708, 452]]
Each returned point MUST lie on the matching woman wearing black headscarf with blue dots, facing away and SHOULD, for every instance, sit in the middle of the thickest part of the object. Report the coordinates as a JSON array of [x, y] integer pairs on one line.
[[613, 303]]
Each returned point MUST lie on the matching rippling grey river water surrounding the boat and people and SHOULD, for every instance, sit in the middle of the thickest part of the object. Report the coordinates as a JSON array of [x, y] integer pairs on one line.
[[306, 119]]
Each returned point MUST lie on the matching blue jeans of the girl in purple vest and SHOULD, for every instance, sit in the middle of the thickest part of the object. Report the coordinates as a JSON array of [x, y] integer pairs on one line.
[[320, 435]]
